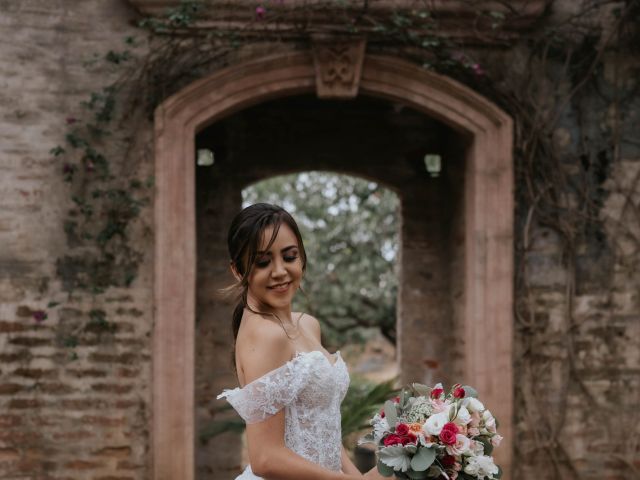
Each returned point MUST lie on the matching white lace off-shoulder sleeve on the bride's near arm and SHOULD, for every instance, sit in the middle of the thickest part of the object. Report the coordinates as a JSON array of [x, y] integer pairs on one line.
[[269, 394]]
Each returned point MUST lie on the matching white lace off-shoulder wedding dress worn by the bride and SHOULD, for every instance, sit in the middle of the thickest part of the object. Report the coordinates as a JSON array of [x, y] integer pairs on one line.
[[310, 388]]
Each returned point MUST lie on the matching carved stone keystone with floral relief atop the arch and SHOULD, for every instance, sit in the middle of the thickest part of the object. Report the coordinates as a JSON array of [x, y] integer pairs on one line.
[[338, 65]]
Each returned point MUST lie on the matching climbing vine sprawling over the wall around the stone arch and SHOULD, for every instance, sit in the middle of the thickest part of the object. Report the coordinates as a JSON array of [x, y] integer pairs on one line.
[[554, 79]]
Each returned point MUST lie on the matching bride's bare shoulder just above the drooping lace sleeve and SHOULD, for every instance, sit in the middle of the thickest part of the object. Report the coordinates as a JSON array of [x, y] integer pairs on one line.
[[261, 346]]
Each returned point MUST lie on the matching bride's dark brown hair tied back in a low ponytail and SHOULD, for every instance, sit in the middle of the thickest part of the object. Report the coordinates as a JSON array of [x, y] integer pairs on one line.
[[244, 238]]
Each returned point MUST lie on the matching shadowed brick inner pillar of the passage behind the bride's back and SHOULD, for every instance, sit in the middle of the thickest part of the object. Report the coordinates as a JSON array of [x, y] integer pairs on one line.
[[218, 200]]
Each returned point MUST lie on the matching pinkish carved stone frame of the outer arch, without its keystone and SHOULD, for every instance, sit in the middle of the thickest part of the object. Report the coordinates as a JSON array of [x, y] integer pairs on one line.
[[488, 224]]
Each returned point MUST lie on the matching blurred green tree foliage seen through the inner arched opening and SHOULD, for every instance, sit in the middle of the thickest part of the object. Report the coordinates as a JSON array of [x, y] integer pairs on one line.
[[350, 229]]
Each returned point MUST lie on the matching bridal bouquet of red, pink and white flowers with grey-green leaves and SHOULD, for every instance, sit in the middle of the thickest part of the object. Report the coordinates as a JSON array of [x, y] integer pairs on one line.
[[426, 433]]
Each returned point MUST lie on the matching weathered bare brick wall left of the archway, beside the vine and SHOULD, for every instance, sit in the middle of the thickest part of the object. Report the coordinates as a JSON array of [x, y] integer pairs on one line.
[[65, 412]]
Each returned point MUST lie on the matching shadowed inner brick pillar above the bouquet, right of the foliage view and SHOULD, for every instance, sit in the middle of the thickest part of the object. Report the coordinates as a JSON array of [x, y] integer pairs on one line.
[[424, 318]]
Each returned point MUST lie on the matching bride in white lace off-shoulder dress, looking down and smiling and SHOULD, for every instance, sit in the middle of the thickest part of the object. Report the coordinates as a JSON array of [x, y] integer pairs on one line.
[[291, 387]]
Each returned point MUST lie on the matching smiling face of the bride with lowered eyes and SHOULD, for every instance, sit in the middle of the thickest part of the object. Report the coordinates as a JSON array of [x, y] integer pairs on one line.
[[275, 276]]
